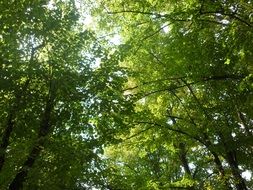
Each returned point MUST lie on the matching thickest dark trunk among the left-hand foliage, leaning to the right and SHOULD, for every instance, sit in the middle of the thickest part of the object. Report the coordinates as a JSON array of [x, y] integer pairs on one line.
[[44, 130]]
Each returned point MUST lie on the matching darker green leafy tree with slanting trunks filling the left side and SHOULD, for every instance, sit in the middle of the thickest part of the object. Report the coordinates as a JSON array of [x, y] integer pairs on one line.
[[51, 100]]
